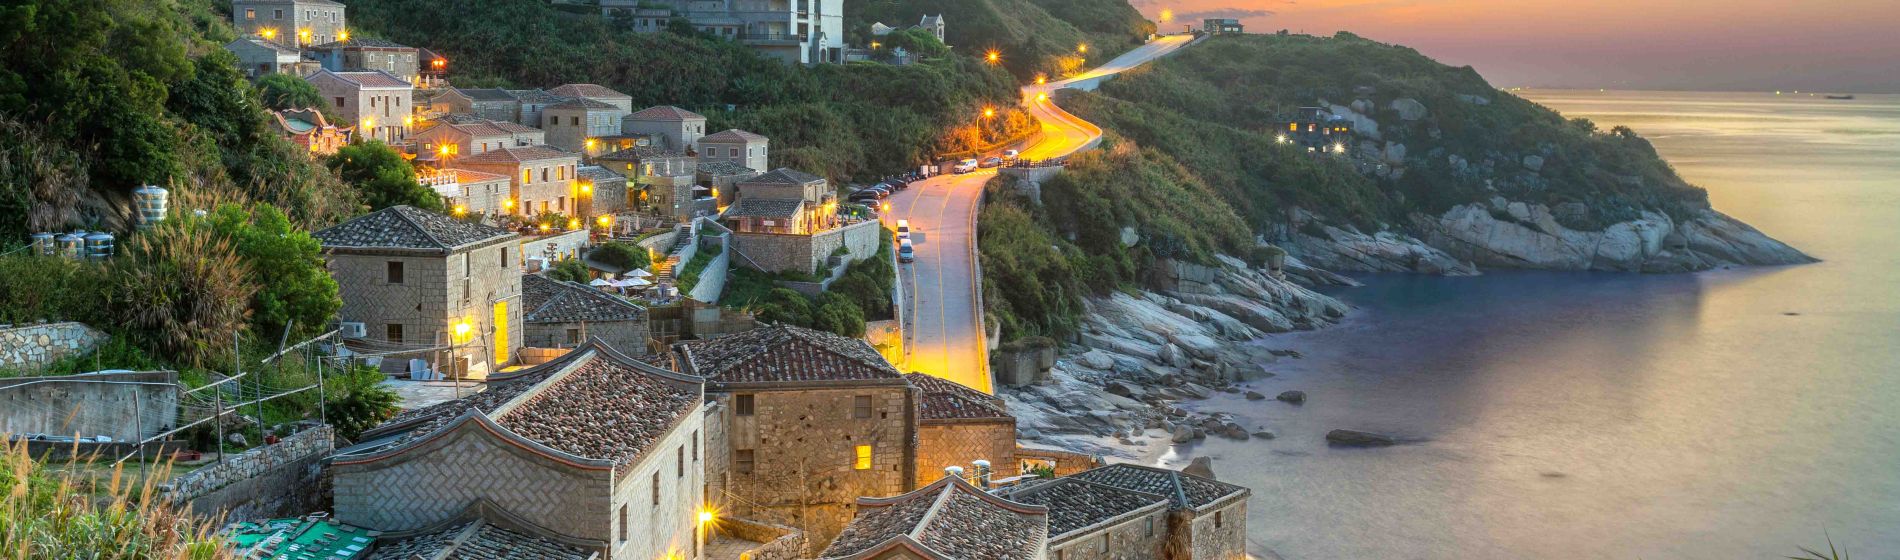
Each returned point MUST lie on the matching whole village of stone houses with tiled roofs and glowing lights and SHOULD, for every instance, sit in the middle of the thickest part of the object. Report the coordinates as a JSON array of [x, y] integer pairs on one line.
[[567, 305]]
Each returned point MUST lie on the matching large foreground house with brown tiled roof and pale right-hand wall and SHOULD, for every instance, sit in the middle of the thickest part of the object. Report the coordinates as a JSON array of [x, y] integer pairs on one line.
[[590, 447]]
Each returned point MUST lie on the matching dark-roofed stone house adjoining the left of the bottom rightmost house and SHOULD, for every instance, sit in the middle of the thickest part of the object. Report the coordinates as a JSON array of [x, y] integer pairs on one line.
[[1092, 521]]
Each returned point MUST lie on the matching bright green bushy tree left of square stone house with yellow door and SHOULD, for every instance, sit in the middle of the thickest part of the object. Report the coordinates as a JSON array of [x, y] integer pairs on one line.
[[288, 267]]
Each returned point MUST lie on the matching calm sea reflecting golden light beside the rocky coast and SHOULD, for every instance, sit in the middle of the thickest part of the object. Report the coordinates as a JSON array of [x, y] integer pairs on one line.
[[1724, 415]]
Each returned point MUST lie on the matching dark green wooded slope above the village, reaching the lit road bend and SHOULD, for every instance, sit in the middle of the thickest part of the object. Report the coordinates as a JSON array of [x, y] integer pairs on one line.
[[841, 121]]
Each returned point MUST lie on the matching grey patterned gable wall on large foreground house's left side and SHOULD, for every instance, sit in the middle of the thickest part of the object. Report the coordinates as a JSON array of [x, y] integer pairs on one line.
[[440, 479]]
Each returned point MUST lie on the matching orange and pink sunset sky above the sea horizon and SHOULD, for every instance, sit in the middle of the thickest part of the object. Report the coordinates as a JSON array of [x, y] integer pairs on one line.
[[1629, 45]]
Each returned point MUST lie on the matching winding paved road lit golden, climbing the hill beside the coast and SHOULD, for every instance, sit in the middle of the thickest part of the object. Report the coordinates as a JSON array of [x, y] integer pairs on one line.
[[943, 333]]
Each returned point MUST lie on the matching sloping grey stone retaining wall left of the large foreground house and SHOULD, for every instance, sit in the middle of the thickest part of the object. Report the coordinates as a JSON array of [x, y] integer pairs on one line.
[[273, 481]]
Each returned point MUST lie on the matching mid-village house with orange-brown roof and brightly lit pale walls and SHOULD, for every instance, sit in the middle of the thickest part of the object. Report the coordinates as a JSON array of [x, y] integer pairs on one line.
[[542, 177]]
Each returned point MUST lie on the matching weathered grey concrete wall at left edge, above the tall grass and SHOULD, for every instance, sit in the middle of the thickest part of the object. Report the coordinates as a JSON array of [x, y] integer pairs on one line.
[[83, 405]]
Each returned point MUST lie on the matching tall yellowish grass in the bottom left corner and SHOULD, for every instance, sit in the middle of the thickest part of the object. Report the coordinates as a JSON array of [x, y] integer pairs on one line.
[[60, 515]]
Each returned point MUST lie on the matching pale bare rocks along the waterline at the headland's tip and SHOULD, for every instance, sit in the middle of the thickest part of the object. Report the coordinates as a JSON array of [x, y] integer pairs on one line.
[[1508, 234]]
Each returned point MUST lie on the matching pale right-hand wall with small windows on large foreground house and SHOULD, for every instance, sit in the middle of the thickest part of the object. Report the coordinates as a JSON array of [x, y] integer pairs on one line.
[[666, 531]]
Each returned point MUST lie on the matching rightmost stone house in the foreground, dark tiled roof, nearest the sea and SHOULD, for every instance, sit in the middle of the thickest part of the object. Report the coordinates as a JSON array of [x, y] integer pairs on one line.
[[1207, 519]]
